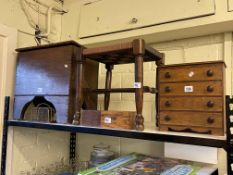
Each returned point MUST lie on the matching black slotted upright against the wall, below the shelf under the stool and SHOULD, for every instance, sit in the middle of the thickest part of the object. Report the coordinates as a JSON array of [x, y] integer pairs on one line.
[[73, 158]]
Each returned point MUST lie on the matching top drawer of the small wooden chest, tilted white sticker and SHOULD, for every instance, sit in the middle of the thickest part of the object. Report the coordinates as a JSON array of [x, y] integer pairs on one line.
[[203, 72]]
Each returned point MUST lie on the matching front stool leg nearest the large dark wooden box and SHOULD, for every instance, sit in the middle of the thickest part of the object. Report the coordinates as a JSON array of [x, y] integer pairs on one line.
[[79, 94]]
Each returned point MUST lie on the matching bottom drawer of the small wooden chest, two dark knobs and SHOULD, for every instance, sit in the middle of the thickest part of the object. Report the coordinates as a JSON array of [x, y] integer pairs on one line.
[[197, 119]]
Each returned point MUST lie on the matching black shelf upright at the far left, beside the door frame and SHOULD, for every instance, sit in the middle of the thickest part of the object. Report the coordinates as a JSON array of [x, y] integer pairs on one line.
[[4, 135]]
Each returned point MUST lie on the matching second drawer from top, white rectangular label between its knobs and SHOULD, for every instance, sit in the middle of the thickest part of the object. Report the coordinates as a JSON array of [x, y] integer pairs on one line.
[[210, 88]]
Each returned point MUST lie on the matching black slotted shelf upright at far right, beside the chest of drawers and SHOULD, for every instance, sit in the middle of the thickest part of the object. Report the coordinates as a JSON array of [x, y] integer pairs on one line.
[[229, 124]]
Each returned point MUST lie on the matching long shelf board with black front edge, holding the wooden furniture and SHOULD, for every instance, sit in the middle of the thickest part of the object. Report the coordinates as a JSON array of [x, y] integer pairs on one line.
[[152, 134]]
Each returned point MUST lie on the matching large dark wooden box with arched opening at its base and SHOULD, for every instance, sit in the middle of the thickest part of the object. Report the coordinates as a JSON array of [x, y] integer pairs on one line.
[[48, 79]]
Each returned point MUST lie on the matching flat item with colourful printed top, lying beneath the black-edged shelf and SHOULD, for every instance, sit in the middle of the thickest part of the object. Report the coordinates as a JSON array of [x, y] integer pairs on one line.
[[138, 164]]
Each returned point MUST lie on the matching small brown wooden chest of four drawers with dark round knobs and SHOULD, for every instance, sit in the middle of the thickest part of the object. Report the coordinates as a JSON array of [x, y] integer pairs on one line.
[[191, 98]]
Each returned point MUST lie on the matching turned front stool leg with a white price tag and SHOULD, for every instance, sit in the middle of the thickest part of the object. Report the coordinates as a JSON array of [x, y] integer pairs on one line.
[[139, 121]]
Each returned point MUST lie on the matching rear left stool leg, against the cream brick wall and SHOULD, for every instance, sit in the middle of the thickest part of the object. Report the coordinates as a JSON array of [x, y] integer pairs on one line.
[[108, 85]]
